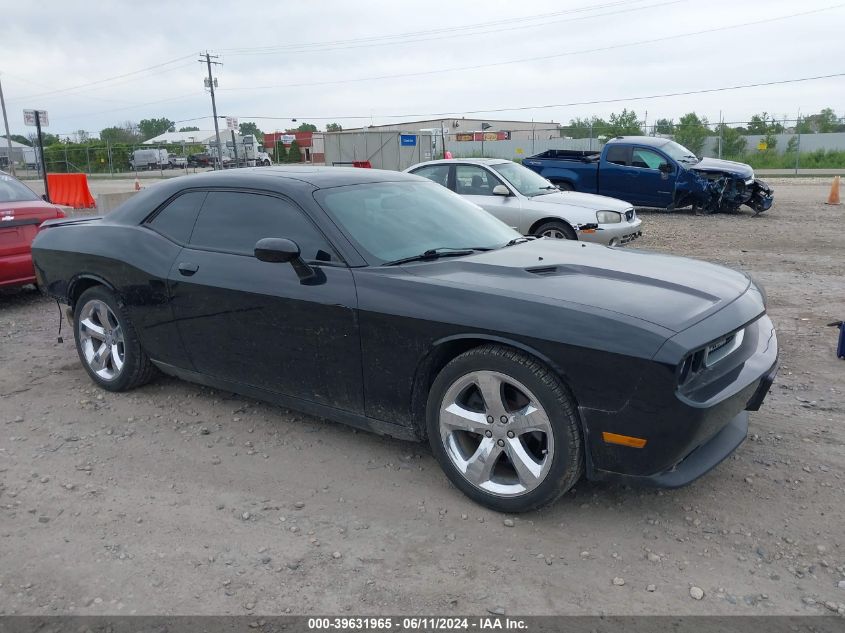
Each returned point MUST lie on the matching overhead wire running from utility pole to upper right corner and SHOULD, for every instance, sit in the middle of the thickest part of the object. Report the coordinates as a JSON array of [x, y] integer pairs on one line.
[[542, 57]]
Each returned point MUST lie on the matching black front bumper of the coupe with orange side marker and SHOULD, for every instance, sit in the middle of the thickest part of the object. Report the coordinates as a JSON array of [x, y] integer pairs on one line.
[[691, 431]]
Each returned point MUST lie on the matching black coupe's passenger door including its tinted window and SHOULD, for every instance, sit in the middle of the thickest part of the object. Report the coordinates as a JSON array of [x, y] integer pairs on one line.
[[257, 323]]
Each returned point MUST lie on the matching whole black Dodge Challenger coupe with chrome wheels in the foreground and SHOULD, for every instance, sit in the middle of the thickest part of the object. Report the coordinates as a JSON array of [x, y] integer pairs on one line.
[[385, 301]]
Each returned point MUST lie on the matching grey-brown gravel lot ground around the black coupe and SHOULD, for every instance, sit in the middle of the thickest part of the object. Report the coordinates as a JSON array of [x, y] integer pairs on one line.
[[177, 499]]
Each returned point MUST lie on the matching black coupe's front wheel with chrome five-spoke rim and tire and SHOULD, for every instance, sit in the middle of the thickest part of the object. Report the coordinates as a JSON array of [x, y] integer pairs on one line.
[[504, 429]]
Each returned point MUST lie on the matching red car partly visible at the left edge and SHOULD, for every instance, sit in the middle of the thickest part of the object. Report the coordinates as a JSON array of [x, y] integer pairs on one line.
[[21, 213]]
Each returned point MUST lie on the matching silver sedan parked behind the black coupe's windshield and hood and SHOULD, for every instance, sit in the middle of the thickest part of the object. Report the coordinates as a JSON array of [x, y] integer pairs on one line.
[[531, 204]]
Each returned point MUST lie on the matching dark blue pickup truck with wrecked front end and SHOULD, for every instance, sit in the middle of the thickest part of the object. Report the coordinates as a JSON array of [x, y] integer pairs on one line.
[[650, 171]]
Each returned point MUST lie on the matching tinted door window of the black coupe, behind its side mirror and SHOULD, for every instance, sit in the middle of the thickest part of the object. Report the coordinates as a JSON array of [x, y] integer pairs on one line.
[[233, 222]]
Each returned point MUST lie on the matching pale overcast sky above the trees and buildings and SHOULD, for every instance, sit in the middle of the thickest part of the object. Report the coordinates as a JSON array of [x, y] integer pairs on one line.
[[333, 60]]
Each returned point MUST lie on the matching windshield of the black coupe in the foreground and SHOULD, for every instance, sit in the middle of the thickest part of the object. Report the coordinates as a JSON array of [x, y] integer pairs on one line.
[[394, 220]]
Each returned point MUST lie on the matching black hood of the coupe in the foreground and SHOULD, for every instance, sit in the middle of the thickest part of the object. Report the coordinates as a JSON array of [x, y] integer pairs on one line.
[[671, 292]]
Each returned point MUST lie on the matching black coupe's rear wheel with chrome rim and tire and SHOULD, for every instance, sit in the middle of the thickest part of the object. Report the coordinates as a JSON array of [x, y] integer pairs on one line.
[[107, 343]]
